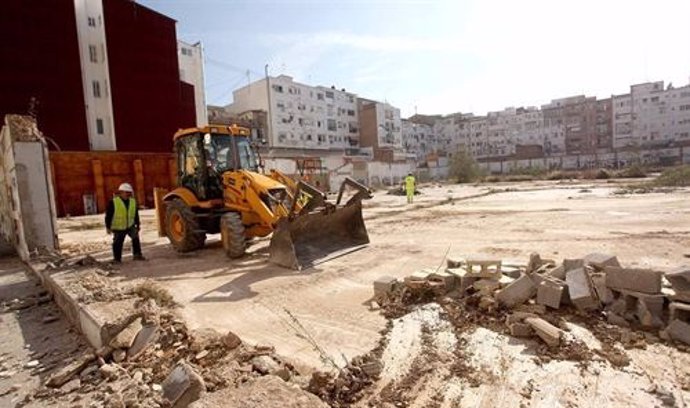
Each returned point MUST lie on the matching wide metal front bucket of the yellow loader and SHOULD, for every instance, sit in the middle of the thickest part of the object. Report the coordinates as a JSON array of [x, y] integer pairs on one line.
[[316, 237]]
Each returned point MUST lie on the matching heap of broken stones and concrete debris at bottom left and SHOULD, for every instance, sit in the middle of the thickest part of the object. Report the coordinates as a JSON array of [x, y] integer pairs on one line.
[[153, 360]]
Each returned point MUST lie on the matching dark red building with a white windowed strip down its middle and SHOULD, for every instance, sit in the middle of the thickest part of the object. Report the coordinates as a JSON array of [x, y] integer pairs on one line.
[[97, 74]]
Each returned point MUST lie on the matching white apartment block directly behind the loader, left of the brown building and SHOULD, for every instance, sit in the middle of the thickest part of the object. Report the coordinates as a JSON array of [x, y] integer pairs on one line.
[[302, 116]]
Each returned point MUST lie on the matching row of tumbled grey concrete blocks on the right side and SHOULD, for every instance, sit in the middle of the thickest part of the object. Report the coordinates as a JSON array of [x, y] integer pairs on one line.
[[522, 295]]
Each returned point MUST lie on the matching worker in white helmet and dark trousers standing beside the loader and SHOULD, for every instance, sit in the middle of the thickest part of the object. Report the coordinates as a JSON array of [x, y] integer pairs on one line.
[[121, 220]]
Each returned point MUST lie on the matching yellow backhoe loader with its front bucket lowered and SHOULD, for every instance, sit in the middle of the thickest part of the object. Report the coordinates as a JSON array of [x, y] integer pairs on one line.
[[220, 189]]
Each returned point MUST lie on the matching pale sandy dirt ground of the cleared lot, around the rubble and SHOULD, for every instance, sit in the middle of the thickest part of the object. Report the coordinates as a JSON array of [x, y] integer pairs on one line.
[[508, 221]]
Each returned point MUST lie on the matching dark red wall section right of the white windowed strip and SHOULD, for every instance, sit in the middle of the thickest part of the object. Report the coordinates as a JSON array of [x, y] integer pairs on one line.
[[149, 100]]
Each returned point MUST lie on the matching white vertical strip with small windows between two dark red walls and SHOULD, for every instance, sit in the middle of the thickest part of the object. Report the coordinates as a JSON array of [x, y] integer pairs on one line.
[[93, 57]]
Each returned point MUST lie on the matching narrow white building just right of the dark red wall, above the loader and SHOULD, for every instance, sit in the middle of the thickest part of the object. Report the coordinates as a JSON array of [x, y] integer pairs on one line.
[[191, 60]]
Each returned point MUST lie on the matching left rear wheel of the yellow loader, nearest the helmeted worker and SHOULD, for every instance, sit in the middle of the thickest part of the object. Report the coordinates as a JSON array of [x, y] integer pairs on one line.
[[191, 237]]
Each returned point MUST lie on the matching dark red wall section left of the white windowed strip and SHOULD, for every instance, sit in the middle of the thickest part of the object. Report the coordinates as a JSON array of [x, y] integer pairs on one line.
[[39, 56]]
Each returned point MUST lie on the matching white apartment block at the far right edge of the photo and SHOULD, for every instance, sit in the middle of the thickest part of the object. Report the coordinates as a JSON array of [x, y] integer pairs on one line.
[[651, 115]]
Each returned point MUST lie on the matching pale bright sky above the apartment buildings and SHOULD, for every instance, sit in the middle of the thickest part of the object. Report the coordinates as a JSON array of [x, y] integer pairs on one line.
[[441, 56]]
